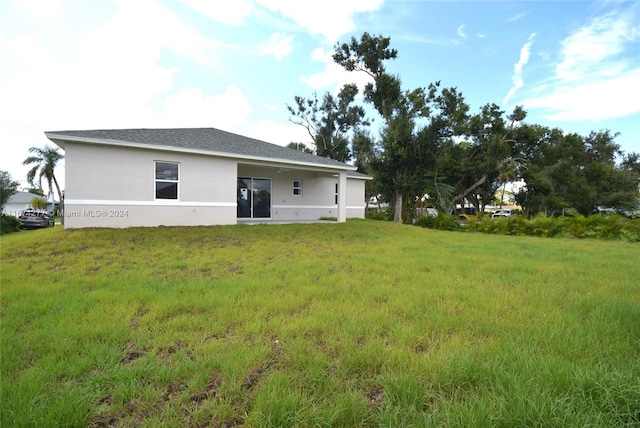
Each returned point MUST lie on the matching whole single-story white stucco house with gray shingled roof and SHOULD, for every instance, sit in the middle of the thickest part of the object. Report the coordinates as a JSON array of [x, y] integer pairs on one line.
[[198, 176]]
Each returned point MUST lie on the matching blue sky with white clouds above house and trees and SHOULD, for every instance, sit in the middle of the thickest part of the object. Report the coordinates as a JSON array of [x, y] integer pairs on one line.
[[235, 65]]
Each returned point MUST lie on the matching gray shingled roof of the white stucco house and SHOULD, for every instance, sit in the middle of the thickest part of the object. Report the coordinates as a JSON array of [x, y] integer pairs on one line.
[[200, 139]]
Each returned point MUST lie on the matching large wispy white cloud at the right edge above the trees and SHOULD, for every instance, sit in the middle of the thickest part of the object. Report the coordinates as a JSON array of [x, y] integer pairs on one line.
[[594, 80]]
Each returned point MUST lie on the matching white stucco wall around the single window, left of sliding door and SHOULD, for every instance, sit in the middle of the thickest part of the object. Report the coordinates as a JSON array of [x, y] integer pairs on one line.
[[110, 186]]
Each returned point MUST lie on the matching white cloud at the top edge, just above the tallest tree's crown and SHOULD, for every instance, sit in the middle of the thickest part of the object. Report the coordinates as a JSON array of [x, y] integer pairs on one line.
[[331, 18]]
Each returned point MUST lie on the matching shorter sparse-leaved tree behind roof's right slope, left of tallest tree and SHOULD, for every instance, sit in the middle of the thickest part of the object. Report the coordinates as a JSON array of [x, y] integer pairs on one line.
[[330, 120]]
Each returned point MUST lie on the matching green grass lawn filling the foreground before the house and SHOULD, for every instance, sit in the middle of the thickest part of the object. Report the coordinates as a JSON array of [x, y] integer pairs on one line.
[[359, 324]]
